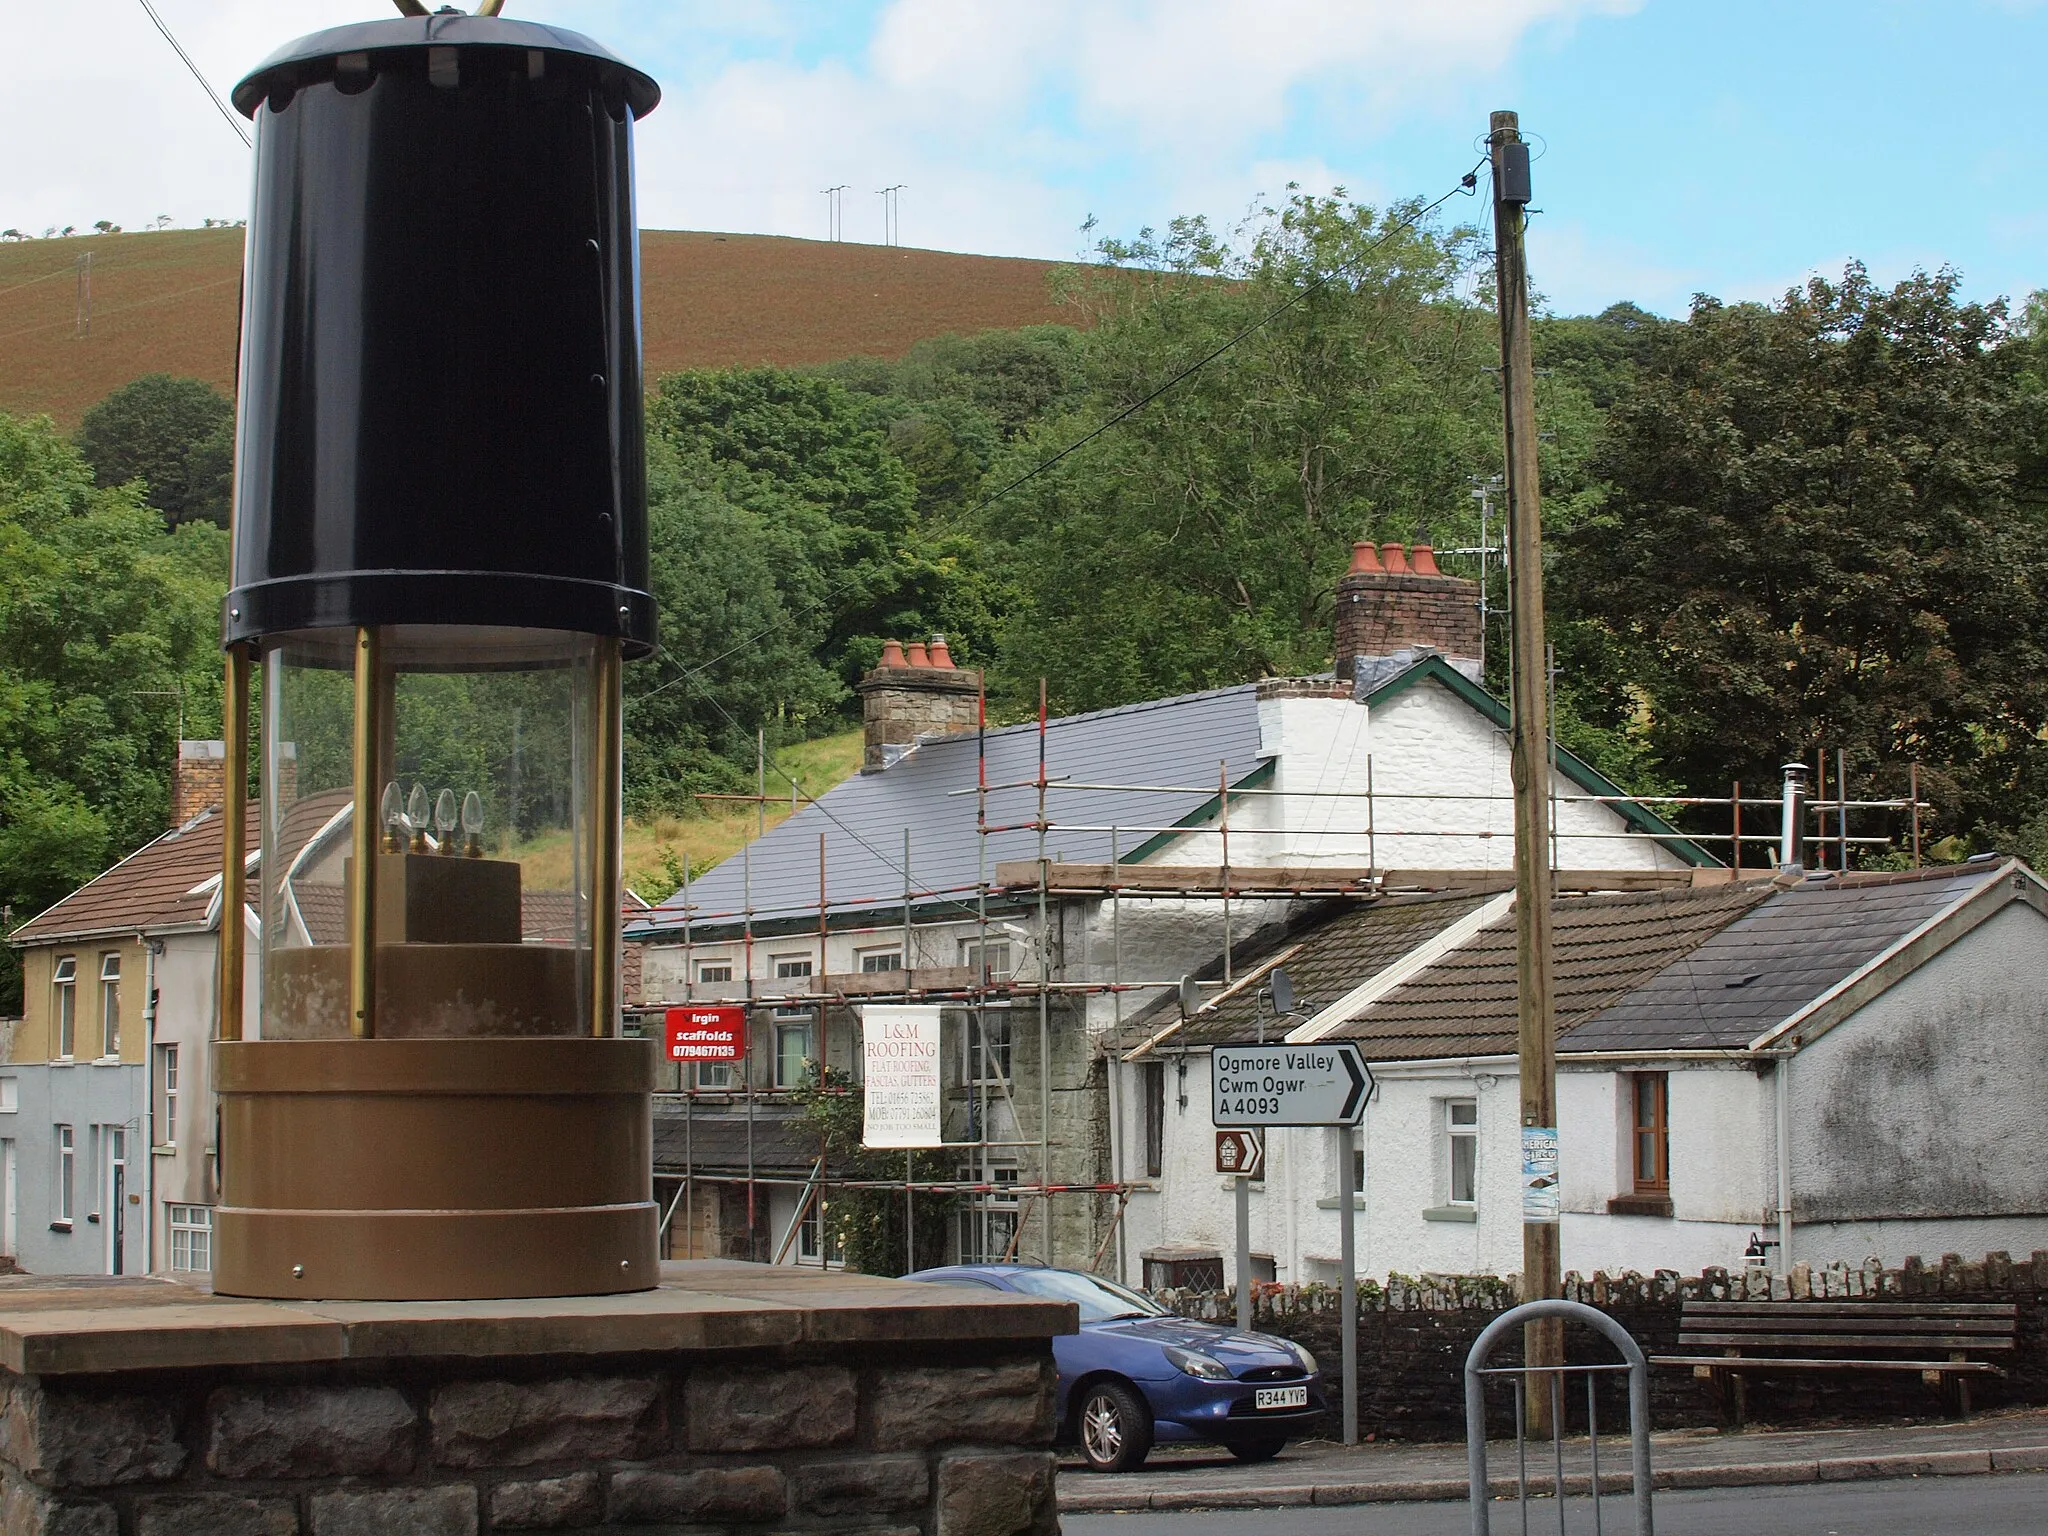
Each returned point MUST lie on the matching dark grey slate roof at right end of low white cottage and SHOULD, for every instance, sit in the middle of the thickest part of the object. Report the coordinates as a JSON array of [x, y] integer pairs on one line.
[[1775, 959]]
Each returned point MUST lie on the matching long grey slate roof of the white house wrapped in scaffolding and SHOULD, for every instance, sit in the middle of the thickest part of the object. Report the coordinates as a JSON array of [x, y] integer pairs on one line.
[[863, 820]]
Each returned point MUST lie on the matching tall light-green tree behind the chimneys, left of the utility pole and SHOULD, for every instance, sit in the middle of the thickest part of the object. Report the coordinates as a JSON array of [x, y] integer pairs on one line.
[[1201, 542]]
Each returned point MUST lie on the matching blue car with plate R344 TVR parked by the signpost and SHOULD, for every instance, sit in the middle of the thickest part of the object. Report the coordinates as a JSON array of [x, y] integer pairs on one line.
[[1138, 1375]]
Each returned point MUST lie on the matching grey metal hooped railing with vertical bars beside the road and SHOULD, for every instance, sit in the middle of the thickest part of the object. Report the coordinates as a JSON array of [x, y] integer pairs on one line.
[[1476, 1416]]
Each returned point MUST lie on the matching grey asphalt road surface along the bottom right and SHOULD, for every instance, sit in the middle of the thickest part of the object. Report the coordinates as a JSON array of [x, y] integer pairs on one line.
[[1932, 1506]]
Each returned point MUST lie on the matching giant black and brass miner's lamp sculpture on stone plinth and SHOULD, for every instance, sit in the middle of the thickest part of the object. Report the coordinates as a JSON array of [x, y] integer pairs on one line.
[[439, 566]]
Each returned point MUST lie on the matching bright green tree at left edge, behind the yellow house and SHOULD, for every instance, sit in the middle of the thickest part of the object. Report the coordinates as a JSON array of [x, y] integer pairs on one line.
[[110, 632]]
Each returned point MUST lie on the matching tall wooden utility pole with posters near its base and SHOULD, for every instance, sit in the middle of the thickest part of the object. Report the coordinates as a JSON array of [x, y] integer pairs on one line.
[[1531, 765]]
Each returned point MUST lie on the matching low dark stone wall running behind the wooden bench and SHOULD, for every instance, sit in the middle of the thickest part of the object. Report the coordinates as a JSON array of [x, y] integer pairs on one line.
[[1416, 1332]]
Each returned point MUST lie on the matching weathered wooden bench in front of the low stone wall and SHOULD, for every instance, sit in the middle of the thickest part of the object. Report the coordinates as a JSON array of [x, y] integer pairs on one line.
[[1725, 1340]]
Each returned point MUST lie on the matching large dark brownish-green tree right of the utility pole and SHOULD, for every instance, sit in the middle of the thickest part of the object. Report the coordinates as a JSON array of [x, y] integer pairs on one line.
[[1811, 538]]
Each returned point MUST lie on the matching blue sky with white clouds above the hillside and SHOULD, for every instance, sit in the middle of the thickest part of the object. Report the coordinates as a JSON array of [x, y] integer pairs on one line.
[[1687, 146]]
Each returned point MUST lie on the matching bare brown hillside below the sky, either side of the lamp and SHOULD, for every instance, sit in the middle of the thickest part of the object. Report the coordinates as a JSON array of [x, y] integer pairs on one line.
[[169, 304]]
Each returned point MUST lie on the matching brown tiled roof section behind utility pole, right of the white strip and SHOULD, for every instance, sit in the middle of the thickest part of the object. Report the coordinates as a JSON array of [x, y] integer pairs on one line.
[[1603, 947]]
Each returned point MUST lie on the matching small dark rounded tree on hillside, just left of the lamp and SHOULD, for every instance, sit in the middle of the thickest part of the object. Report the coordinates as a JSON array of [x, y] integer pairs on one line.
[[173, 435]]
